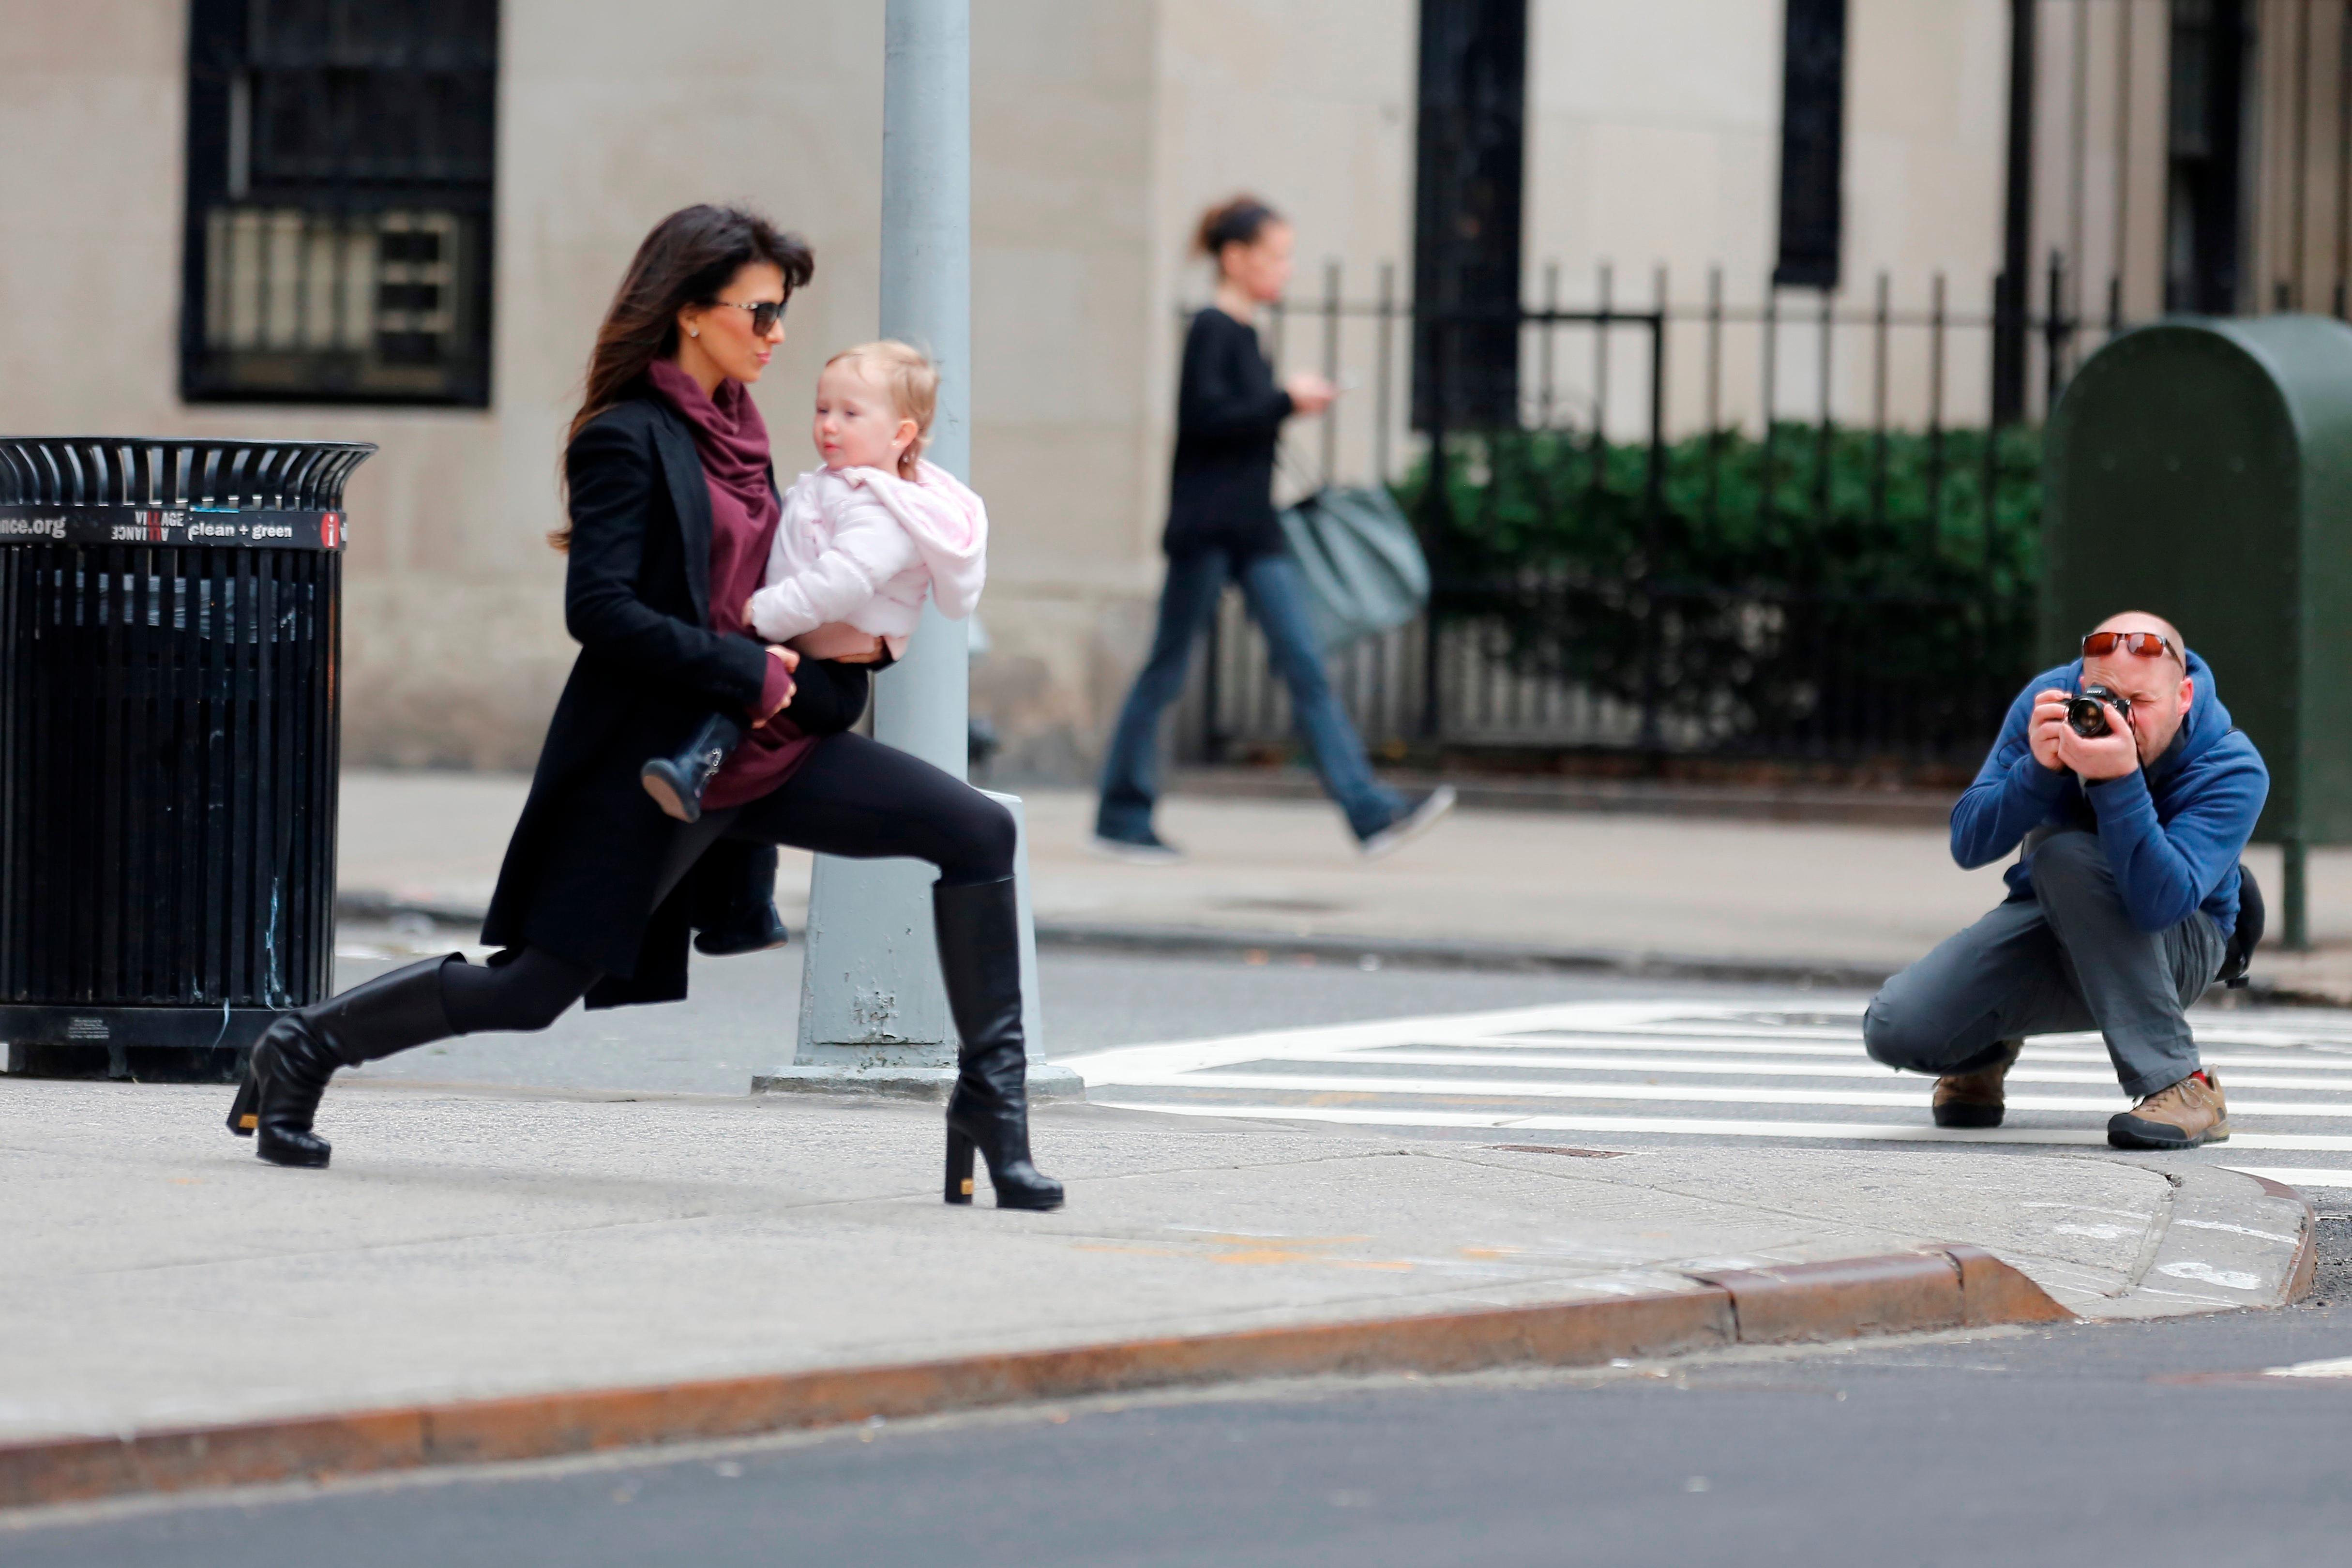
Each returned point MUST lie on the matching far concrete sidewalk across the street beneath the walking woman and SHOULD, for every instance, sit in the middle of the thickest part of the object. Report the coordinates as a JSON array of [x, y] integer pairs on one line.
[[1622, 890]]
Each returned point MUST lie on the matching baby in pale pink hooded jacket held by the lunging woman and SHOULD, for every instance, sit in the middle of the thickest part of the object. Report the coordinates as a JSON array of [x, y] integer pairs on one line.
[[860, 544]]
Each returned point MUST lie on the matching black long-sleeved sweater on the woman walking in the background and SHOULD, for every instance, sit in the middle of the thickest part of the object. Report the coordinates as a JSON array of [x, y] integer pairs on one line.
[[1229, 417]]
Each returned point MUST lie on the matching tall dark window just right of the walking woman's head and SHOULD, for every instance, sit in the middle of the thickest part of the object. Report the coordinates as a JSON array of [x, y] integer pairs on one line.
[[1466, 213]]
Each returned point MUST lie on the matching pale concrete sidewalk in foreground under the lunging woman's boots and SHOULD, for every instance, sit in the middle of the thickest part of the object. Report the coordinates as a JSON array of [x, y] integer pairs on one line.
[[500, 1247]]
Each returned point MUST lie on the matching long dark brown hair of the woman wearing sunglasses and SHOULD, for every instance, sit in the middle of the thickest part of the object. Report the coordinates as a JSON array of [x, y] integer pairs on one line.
[[686, 262]]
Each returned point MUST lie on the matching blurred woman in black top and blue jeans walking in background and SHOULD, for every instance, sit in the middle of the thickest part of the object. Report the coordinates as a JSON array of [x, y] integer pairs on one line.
[[1222, 528]]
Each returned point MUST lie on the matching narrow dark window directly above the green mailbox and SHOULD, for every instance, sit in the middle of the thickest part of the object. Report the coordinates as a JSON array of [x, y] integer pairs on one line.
[[2203, 156]]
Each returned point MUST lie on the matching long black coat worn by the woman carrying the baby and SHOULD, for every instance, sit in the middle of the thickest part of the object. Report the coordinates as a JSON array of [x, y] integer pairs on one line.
[[584, 862]]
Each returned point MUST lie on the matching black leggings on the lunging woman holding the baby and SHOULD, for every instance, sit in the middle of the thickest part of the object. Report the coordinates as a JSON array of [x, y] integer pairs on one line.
[[853, 798]]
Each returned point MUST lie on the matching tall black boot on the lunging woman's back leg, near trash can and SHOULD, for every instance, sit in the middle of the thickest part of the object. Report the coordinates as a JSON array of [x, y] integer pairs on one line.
[[300, 1054]]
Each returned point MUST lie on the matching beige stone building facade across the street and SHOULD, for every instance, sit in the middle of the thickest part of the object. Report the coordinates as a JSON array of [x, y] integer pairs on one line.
[[1652, 140]]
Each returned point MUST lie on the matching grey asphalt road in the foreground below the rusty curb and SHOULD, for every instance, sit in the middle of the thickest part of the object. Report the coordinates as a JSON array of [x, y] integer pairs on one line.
[[2153, 1445]]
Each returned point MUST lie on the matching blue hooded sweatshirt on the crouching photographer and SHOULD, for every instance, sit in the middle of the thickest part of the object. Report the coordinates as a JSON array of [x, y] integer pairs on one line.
[[2172, 831]]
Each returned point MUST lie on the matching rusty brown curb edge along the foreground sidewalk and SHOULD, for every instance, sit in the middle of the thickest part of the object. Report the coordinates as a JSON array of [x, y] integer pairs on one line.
[[1932, 1289]]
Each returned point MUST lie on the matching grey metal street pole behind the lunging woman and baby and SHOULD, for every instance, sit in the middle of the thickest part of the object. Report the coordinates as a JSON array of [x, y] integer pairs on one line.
[[871, 996]]
